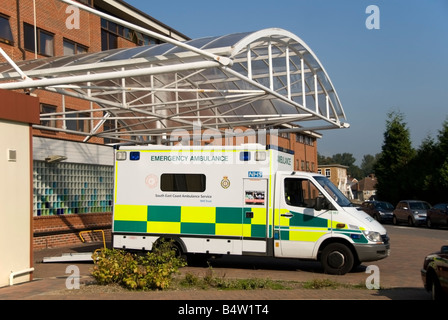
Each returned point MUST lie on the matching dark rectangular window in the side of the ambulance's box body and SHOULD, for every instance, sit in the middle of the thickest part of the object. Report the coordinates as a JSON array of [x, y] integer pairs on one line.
[[182, 182]]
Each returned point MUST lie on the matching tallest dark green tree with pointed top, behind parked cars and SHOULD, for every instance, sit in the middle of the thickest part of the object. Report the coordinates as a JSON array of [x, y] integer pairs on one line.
[[397, 153]]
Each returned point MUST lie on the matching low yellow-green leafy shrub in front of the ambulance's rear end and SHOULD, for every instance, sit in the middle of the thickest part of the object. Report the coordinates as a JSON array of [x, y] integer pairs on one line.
[[151, 271]]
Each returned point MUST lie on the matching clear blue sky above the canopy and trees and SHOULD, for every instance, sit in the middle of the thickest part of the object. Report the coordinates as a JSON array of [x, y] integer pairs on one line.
[[402, 65]]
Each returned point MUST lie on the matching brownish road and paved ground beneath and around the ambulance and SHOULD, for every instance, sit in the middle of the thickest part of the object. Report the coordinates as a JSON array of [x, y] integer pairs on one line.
[[399, 275]]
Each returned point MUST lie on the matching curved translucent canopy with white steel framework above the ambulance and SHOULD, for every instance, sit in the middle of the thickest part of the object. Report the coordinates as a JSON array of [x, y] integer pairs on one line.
[[260, 80]]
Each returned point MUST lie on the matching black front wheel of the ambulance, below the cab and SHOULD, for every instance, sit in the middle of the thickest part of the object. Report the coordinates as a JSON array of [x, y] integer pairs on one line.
[[337, 258]]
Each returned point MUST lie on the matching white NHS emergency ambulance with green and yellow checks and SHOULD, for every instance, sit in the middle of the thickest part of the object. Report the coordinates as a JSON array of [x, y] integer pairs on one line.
[[238, 200]]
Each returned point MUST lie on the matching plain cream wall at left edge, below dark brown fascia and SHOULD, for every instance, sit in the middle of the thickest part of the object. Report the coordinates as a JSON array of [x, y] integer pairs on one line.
[[15, 202]]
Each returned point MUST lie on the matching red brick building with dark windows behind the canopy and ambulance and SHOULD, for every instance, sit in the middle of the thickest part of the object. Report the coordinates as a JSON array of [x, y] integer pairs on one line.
[[72, 170]]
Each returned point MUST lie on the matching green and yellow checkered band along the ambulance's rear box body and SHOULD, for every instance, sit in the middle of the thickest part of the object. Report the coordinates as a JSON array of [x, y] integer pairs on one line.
[[220, 221]]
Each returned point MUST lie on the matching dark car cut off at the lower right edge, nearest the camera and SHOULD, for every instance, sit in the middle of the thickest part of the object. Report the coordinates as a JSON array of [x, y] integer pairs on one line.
[[435, 273]]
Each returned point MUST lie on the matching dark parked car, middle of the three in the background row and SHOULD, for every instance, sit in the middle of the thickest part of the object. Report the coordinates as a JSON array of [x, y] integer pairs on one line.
[[412, 212]]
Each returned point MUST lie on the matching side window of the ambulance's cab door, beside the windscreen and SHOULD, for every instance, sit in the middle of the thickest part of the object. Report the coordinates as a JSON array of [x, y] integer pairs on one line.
[[300, 193]]
